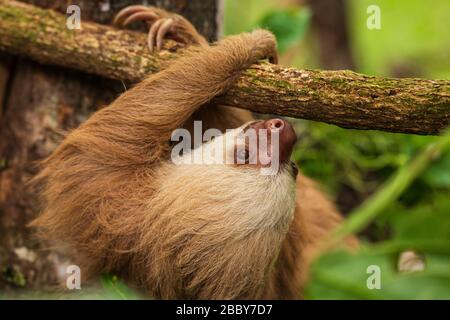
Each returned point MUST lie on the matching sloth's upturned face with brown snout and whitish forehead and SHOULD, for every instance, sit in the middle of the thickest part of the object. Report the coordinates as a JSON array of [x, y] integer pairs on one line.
[[263, 144]]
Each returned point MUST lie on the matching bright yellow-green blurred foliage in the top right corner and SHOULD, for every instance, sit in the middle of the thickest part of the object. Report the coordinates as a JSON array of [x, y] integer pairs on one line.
[[414, 35]]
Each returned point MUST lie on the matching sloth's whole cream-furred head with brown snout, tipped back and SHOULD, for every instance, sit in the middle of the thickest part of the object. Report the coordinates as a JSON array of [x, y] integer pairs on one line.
[[243, 177]]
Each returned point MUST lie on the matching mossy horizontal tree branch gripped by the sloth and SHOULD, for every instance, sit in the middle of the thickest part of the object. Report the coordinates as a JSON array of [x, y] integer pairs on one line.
[[343, 98]]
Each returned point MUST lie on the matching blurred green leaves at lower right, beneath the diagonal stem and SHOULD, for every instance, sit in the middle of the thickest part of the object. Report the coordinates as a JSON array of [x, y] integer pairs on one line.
[[425, 228]]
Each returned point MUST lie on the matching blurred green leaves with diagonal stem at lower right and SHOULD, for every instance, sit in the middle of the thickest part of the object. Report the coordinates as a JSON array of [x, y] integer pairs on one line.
[[424, 229]]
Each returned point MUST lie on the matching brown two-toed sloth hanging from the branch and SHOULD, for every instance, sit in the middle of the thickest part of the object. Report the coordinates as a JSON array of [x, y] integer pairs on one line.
[[112, 193]]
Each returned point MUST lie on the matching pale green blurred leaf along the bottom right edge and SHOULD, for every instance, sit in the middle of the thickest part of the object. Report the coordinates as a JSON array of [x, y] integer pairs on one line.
[[342, 275]]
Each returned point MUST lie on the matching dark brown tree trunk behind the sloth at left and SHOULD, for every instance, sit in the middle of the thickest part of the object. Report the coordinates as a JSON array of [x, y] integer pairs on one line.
[[37, 102]]
